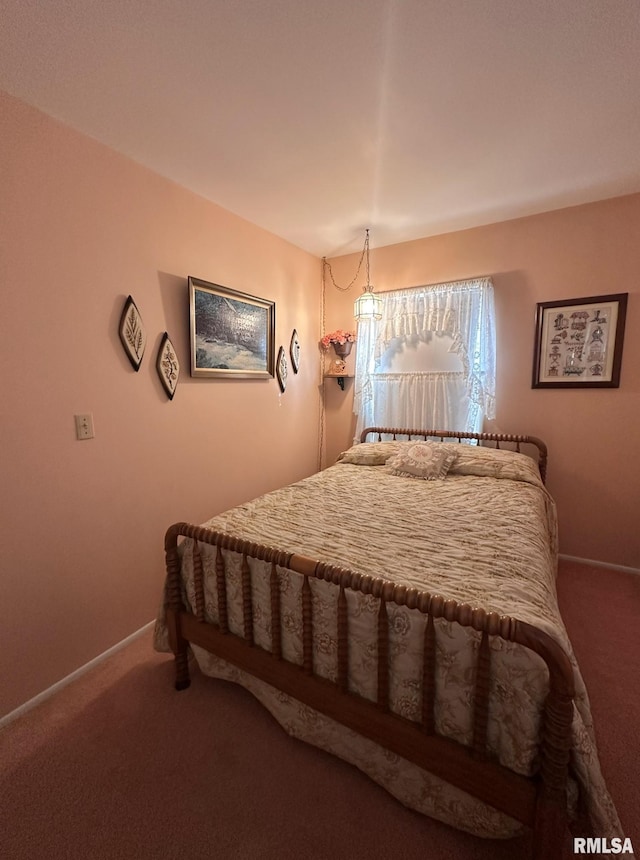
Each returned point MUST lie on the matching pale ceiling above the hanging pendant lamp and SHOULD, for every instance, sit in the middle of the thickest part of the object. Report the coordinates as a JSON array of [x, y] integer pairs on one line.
[[317, 118]]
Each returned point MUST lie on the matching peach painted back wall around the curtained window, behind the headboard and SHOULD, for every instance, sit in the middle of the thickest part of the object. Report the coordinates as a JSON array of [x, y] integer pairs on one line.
[[594, 470]]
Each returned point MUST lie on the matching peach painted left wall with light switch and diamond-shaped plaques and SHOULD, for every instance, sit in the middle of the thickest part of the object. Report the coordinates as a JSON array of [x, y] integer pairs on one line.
[[83, 522]]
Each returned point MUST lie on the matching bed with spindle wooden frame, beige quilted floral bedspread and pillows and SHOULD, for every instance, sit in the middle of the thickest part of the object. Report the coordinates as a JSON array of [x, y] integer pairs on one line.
[[409, 626]]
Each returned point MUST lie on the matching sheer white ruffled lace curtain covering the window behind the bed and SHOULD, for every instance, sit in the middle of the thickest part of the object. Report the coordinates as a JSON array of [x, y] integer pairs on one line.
[[464, 311]]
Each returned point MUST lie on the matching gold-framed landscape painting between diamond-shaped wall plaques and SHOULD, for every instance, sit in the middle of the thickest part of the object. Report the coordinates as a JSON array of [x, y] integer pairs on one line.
[[232, 333]]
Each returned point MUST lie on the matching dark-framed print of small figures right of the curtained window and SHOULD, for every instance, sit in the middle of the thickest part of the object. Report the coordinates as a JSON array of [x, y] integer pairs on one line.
[[578, 343]]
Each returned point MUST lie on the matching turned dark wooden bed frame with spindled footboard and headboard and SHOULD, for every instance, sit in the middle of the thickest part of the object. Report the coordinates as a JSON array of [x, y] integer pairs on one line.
[[539, 802]]
